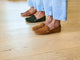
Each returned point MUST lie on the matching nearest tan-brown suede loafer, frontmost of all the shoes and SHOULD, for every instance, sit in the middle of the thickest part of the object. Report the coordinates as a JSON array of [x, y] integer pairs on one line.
[[46, 30]]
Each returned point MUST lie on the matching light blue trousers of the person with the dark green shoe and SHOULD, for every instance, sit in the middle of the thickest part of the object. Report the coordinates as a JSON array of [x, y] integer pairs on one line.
[[37, 4]]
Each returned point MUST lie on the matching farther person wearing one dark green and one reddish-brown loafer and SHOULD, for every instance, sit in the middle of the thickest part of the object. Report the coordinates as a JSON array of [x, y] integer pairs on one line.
[[36, 12]]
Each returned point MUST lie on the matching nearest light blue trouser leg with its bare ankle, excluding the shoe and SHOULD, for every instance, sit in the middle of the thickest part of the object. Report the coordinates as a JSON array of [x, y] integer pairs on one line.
[[59, 9]]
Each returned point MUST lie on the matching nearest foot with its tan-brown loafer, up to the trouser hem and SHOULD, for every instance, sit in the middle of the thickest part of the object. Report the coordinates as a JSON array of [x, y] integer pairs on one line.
[[53, 27]]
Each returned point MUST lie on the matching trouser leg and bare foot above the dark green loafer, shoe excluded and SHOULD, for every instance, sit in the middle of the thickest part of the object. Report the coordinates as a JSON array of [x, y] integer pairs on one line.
[[40, 9]]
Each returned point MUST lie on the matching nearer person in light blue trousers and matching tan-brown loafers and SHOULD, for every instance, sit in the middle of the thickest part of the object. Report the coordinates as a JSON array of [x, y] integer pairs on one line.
[[56, 11]]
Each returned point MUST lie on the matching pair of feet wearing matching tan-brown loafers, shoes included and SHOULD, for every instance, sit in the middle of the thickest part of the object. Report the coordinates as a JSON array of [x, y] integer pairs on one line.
[[49, 26]]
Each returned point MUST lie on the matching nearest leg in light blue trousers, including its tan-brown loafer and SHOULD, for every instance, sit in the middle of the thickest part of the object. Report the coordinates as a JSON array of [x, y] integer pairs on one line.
[[58, 9]]
